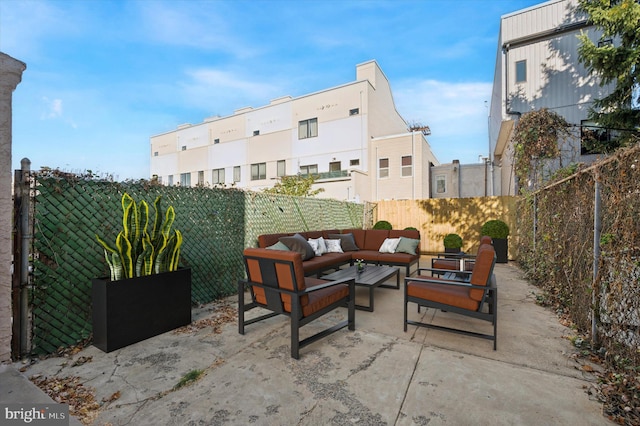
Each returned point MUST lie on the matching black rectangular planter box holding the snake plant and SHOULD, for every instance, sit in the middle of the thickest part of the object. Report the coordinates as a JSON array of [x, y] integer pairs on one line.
[[132, 310]]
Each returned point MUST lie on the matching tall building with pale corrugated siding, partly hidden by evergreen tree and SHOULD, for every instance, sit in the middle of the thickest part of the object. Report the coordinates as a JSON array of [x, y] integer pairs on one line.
[[537, 67]]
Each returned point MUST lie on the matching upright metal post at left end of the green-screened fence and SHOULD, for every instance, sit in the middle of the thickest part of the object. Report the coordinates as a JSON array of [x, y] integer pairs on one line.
[[25, 189]]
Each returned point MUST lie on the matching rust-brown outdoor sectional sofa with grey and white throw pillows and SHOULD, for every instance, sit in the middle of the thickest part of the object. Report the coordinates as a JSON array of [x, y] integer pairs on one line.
[[364, 244]]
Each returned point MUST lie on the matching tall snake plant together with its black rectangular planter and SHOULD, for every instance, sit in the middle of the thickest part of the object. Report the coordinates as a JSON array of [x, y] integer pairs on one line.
[[146, 293]]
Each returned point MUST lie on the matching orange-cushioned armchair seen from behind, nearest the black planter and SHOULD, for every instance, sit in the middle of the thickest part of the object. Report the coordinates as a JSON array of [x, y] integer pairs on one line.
[[276, 281]]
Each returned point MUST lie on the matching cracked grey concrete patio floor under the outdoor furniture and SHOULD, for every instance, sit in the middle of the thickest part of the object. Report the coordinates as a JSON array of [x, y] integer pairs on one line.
[[375, 375]]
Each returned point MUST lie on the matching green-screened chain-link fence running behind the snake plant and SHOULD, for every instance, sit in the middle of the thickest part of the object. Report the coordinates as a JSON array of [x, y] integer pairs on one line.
[[216, 224]]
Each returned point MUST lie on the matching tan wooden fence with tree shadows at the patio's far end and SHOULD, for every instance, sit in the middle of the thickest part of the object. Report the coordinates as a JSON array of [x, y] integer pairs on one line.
[[435, 218]]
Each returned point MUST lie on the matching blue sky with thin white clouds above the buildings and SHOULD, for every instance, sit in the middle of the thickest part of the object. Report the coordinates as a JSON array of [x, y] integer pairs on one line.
[[103, 76]]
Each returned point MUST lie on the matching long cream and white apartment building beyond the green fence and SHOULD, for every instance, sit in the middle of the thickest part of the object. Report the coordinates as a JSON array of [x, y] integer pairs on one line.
[[351, 137]]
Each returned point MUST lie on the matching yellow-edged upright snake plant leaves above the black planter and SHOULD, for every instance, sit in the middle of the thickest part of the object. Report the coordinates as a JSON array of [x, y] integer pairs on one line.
[[137, 252]]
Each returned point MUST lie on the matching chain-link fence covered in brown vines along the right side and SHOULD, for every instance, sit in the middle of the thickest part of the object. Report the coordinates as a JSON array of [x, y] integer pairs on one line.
[[556, 248]]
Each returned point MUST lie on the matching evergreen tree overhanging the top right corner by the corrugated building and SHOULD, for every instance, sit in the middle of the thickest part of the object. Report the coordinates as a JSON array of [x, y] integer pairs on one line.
[[615, 58]]
